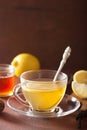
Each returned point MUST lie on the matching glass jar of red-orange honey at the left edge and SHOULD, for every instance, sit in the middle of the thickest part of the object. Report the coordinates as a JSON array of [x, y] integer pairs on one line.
[[6, 80]]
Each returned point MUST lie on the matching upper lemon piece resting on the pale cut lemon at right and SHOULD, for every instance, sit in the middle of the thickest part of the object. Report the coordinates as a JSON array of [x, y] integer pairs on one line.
[[80, 76]]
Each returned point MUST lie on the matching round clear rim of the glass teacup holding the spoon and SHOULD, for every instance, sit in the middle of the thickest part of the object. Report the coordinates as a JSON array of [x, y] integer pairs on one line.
[[43, 70]]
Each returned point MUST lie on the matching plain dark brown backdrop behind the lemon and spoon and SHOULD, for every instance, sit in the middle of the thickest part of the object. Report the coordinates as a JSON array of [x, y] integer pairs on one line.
[[44, 28]]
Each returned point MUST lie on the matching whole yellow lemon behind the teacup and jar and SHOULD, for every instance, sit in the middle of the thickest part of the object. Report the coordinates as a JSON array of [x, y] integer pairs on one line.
[[24, 62]]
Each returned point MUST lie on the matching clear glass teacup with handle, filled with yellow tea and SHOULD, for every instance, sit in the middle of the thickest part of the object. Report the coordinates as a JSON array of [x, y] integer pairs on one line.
[[40, 91]]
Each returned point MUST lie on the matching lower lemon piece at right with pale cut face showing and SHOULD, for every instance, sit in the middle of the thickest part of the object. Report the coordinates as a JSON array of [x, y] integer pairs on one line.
[[79, 89]]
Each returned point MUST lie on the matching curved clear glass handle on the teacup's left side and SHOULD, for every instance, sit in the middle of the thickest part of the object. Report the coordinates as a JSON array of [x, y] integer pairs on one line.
[[17, 92]]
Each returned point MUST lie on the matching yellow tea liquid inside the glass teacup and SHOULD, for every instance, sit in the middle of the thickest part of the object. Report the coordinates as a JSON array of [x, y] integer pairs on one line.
[[44, 97]]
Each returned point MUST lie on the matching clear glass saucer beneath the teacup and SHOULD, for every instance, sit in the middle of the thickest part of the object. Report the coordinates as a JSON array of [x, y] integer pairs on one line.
[[67, 106]]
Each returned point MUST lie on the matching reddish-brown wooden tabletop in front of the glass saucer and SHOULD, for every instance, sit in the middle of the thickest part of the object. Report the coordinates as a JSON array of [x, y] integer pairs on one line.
[[10, 120]]
